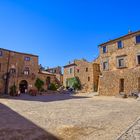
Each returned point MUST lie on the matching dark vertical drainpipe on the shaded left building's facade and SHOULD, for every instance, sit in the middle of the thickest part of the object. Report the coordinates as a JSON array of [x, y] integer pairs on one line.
[[7, 75]]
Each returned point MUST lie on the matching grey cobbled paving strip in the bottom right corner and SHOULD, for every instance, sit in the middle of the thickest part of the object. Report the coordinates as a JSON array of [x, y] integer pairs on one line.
[[133, 133]]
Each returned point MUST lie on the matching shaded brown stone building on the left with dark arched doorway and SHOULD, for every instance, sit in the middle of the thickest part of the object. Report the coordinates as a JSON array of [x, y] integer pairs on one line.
[[22, 70]]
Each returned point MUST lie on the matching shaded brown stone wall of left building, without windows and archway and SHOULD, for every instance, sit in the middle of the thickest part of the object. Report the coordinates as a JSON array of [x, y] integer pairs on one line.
[[18, 62]]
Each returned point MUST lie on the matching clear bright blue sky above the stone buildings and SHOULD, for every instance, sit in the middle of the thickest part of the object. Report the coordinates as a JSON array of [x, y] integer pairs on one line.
[[62, 30]]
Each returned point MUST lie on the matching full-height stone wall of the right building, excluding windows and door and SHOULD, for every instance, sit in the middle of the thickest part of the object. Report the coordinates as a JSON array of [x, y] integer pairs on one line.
[[109, 82]]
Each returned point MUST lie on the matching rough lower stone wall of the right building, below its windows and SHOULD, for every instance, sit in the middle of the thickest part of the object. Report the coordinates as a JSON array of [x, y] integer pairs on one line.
[[110, 81]]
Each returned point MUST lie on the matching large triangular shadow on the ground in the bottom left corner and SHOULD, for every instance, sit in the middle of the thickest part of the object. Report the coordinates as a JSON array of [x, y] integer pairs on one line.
[[13, 126]]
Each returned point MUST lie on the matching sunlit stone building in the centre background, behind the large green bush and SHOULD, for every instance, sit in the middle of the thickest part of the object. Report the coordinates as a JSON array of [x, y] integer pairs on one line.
[[86, 72]]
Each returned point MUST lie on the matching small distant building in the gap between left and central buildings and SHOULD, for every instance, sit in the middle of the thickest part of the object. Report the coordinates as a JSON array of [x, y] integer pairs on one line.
[[58, 72]]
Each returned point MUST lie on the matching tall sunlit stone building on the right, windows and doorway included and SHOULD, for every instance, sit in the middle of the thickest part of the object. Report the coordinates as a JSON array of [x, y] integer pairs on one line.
[[120, 65]]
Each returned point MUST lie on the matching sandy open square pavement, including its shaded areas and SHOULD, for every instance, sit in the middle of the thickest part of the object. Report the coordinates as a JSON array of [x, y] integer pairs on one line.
[[66, 117]]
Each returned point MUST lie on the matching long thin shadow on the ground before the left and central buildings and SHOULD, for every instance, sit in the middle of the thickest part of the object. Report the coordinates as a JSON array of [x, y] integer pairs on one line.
[[46, 98]]
